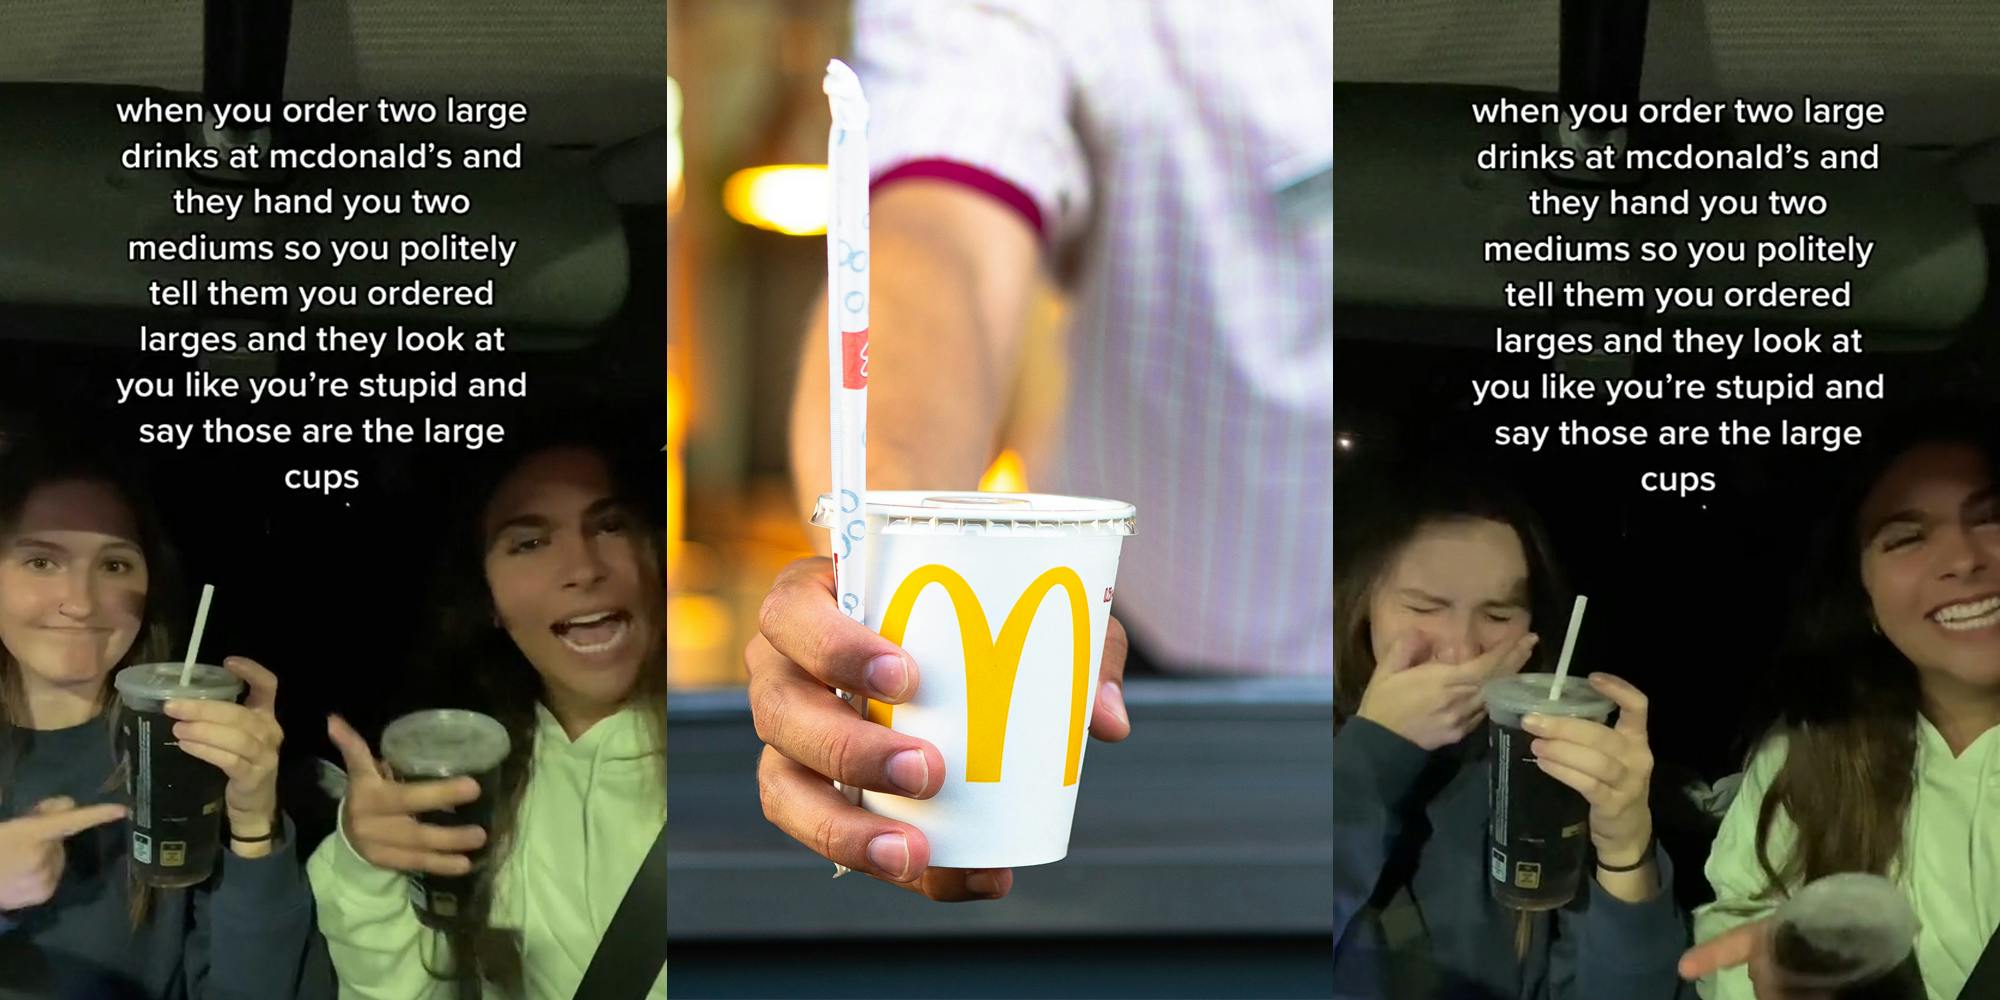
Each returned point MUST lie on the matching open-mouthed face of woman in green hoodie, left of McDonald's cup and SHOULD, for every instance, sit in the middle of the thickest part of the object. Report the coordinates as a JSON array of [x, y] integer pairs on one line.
[[567, 577]]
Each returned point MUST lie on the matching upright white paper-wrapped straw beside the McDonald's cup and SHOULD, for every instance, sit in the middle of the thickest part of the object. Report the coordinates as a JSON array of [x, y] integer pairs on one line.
[[847, 339]]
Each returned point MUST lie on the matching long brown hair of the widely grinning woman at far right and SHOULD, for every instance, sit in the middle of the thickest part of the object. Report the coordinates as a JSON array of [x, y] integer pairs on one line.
[[1851, 697]]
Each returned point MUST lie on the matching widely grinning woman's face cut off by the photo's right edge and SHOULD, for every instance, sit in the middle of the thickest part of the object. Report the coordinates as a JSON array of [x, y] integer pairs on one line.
[[1931, 563]]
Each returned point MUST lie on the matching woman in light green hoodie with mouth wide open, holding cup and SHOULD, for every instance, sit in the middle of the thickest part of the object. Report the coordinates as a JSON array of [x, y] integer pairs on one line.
[[559, 635]]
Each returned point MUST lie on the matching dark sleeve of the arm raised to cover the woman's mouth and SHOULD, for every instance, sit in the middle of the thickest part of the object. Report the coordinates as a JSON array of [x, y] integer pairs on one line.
[[1375, 779]]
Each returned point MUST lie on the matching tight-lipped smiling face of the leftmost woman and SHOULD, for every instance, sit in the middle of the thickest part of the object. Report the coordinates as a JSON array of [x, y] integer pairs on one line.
[[73, 585]]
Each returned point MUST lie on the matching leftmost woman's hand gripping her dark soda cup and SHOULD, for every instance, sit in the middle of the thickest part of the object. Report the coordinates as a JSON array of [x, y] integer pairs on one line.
[[243, 741]]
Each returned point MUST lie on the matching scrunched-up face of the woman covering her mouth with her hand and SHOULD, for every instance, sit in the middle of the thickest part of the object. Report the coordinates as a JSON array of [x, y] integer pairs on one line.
[[1459, 585]]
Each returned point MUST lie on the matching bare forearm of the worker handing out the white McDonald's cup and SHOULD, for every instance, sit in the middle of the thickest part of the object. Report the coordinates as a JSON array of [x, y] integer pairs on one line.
[[953, 273]]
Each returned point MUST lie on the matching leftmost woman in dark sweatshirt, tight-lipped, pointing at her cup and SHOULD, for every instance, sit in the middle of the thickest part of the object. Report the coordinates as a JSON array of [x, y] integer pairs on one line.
[[87, 589]]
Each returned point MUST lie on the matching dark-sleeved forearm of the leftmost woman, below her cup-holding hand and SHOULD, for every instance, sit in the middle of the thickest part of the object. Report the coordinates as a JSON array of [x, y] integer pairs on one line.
[[253, 935]]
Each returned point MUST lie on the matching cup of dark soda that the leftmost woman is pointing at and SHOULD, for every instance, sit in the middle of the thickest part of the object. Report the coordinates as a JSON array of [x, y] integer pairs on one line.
[[175, 797]]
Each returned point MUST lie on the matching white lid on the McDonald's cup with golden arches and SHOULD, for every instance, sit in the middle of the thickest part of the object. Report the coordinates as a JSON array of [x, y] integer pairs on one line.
[[975, 513]]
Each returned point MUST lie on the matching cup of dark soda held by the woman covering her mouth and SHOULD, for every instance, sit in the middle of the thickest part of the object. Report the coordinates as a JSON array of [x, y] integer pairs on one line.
[[1539, 829]]
